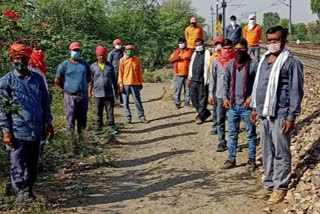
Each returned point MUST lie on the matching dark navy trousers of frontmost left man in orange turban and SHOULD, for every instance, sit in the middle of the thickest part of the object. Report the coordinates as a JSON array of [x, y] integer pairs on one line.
[[24, 164]]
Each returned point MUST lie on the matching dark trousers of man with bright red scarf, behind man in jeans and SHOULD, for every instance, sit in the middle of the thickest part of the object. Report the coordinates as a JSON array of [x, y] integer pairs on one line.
[[221, 114]]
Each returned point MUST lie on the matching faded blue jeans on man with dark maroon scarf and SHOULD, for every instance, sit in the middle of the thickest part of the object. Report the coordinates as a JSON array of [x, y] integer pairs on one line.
[[236, 113]]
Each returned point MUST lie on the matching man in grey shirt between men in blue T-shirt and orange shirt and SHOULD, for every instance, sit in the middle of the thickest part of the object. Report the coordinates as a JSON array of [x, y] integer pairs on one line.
[[103, 78]]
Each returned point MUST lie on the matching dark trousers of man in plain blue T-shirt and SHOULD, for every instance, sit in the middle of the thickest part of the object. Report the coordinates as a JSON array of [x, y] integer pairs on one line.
[[76, 108]]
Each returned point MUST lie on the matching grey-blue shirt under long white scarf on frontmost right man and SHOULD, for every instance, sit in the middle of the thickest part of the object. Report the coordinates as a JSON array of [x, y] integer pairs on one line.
[[290, 88]]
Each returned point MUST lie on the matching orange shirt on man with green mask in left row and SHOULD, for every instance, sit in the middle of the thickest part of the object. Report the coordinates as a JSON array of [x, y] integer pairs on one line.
[[130, 71]]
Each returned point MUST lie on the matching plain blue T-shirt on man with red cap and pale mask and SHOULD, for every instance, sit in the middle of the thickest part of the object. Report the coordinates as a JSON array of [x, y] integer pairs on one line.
[[74, 76]]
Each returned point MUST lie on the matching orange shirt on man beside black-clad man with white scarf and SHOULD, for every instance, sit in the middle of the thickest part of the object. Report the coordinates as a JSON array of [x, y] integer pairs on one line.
[[181, 66]]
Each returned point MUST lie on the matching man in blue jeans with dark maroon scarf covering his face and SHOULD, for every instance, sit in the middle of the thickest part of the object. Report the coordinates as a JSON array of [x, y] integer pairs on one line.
[[238, 83]]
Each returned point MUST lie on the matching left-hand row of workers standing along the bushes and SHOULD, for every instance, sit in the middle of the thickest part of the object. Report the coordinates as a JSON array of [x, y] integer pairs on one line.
[[25, 113]]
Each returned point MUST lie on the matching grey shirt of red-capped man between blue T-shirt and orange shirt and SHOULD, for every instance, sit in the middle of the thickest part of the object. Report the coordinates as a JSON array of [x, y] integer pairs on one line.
[[103, 80]]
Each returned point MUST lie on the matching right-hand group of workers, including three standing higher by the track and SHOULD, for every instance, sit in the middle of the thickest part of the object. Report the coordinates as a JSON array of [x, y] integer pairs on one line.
[[235, 81]]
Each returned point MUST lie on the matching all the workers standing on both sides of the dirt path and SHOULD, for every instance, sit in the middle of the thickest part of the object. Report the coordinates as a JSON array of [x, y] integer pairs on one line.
[[232, 79]]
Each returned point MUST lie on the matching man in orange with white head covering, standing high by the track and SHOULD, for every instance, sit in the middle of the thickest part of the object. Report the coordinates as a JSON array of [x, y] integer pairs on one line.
[[253, 33]]
